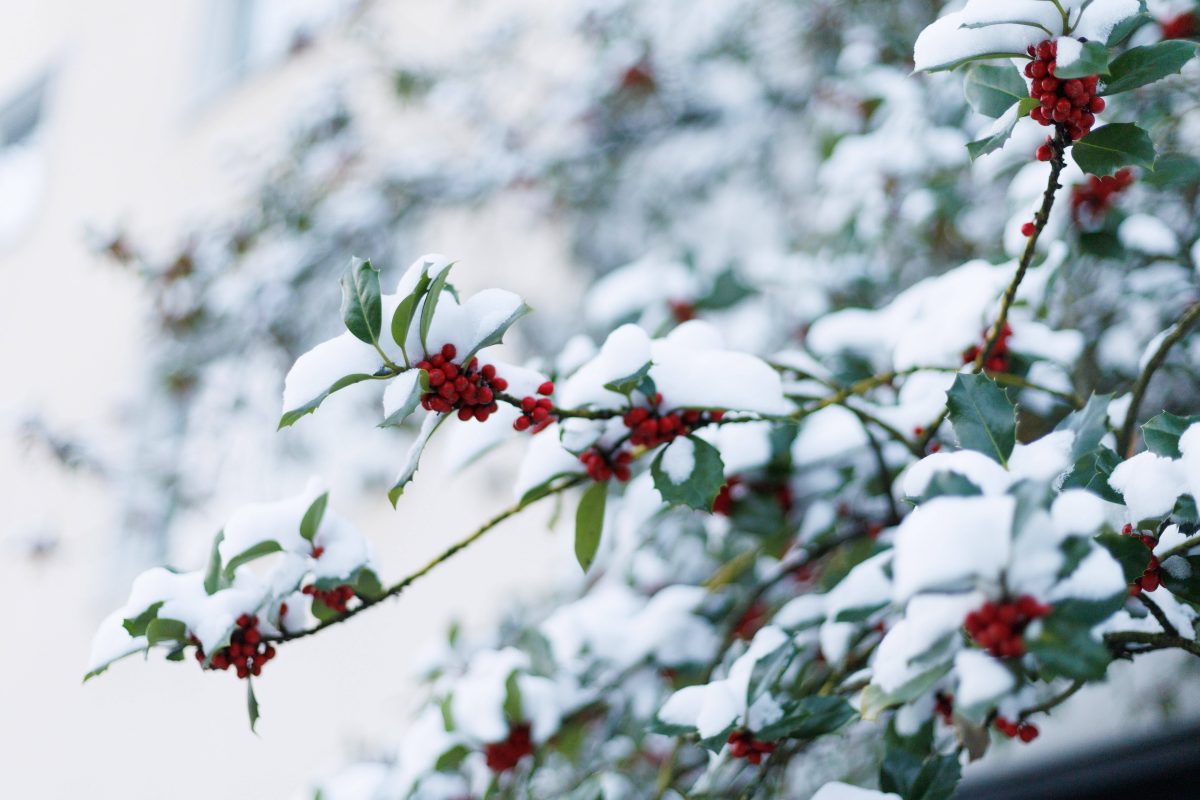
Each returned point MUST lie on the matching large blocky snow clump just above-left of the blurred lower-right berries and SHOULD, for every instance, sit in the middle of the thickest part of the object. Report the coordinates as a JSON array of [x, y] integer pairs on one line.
[[951, 542]]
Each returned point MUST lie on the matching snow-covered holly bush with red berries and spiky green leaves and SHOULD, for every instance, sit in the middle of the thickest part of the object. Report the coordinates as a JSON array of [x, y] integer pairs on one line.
[[850, 508]]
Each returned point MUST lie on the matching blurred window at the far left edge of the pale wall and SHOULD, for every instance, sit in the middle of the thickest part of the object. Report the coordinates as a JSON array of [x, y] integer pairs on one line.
[[22, 161]]
